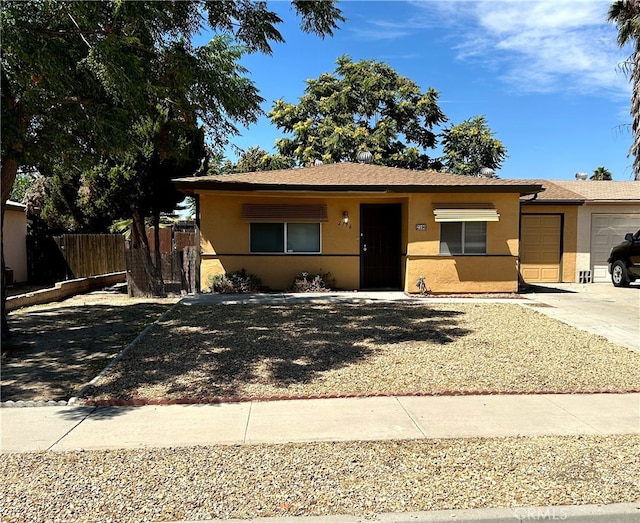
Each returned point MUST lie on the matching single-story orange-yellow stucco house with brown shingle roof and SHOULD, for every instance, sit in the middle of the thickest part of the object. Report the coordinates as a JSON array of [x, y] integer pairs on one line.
[[371, 227]]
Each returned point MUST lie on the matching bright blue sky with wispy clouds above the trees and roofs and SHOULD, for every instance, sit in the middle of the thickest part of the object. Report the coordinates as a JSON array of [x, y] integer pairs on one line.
[[545, 74]]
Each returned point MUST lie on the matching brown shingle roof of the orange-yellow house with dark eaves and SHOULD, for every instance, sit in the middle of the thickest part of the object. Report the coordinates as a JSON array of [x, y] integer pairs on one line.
[[341, 177]]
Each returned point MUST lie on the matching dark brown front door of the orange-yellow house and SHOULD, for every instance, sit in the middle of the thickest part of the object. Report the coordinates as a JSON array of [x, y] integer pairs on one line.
[[380, 246]]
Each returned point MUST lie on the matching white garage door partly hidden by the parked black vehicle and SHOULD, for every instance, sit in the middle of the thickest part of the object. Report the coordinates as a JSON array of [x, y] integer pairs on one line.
[[608, 230]]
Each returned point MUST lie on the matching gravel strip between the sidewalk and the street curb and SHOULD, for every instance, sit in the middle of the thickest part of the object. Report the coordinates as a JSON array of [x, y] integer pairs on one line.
[[317, 479]]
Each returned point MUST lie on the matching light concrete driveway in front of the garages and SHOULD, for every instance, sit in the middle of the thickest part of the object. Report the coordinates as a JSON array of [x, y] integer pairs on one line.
[[601, 308]]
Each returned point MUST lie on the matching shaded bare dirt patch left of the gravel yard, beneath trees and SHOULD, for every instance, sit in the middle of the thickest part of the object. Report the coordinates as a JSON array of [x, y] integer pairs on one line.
[[53, 352]]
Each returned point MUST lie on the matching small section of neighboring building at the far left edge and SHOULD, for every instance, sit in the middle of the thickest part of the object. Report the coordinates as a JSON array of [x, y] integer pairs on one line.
[[14, 234]]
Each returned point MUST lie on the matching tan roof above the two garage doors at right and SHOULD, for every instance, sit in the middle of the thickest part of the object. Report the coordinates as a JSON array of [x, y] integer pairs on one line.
[[592, 191]]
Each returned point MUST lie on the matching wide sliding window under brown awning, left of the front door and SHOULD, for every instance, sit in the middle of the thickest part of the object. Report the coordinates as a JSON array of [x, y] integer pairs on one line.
[[291, 238]]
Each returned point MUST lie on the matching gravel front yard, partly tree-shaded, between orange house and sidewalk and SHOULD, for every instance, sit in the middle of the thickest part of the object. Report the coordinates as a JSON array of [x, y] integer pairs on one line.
[[201, 352]]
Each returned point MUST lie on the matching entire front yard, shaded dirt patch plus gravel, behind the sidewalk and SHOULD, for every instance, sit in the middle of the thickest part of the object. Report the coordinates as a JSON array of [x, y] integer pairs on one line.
[[203, 351]]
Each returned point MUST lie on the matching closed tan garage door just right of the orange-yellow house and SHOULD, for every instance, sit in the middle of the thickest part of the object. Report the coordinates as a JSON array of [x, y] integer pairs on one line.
[[540, 248]]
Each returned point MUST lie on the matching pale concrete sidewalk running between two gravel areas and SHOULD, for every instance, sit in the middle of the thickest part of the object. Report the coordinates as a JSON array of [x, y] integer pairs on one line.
[[358, 419]]
